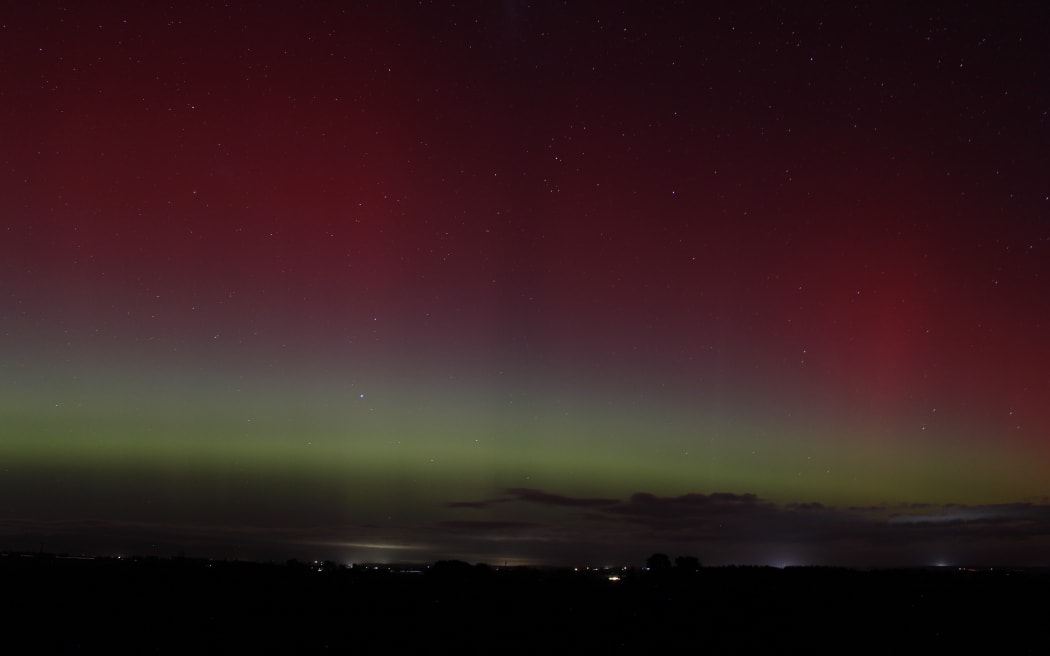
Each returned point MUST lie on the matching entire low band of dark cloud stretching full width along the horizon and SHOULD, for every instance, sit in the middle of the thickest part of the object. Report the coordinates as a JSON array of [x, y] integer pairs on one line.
[[542, 526]]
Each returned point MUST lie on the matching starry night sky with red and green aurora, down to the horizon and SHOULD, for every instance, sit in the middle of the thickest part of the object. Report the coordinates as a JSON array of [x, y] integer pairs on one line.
[[529, 283]]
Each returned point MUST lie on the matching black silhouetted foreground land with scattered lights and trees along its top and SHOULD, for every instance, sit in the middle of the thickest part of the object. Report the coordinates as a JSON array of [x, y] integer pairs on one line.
[[187, 606]]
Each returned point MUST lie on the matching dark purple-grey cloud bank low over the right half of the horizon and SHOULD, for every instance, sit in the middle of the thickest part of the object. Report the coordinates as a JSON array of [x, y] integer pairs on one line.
[[732, 527]]
